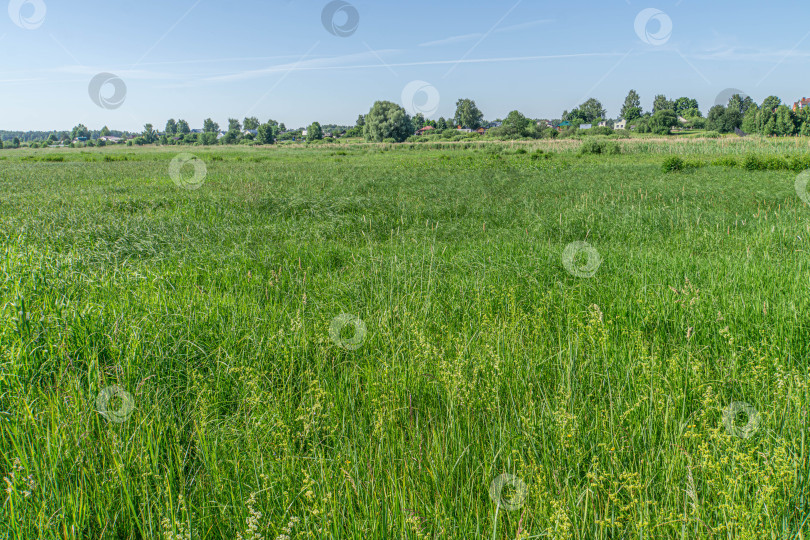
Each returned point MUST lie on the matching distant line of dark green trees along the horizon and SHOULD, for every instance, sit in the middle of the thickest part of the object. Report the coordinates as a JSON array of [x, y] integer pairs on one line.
[[389, 122]]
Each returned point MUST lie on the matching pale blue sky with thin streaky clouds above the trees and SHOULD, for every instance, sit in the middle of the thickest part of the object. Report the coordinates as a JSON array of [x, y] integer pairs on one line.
[[193, 59]]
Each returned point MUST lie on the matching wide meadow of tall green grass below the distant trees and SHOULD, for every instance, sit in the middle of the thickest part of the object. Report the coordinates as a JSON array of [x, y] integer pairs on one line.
[[382, 341]]
